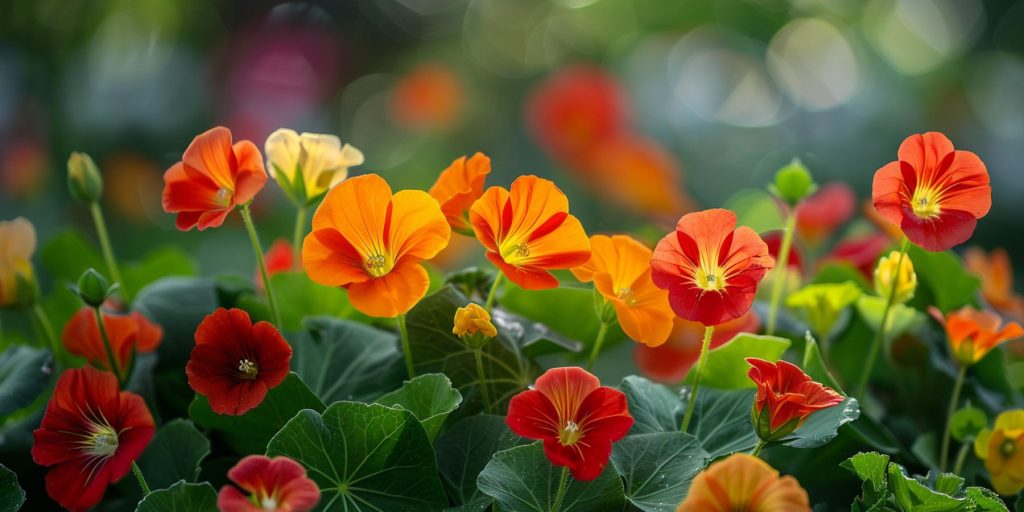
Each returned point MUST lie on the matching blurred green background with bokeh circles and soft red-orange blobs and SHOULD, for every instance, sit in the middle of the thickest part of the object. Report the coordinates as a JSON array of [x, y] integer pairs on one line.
[[641, 110]]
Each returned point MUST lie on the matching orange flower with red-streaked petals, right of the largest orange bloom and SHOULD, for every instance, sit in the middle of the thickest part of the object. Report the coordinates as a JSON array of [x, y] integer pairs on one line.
[[528, 231]]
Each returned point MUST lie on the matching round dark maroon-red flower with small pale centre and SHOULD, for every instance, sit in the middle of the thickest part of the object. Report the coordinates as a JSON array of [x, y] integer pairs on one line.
[[236, 363]]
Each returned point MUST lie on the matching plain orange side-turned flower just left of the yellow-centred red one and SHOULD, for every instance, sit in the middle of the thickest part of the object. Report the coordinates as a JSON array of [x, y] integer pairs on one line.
[[620, 268]]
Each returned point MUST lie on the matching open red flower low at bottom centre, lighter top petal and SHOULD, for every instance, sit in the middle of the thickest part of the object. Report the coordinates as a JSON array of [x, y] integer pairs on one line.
[[576, 417]]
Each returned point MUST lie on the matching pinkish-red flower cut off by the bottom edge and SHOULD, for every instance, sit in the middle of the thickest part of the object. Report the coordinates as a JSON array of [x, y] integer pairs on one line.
[[278, 485]]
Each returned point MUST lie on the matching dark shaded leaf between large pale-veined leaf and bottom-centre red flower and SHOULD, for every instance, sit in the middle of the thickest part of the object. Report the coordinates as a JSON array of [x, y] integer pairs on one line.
[[465, 450]]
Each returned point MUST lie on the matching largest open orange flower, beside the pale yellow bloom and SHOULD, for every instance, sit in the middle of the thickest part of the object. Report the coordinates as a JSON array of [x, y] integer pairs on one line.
[[371, 243]]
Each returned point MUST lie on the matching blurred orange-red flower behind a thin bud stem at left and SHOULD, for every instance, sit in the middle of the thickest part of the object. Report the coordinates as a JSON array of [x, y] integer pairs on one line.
[[129, 335]]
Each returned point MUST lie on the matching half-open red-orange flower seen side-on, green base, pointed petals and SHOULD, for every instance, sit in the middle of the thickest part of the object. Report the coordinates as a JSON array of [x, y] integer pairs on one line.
[[786, 398]]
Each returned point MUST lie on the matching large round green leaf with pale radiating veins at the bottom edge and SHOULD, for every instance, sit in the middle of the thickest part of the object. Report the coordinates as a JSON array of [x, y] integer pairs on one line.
[[365, 457]]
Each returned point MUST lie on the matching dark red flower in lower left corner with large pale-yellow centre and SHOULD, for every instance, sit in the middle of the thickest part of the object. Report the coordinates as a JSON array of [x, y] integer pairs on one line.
[[91, 435]]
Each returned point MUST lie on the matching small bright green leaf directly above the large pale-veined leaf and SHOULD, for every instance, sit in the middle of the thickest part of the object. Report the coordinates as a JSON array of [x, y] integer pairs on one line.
[[431, 398]]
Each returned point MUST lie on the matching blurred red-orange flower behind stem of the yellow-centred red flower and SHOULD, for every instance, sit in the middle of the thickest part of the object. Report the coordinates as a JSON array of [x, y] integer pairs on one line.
[[671, 362]]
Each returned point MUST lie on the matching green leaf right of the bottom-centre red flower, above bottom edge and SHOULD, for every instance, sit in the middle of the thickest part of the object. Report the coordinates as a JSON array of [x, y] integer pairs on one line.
[[658, 468]]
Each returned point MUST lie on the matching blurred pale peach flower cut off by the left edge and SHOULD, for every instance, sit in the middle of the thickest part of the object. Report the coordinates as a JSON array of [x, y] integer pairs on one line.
[[18, 244]]
